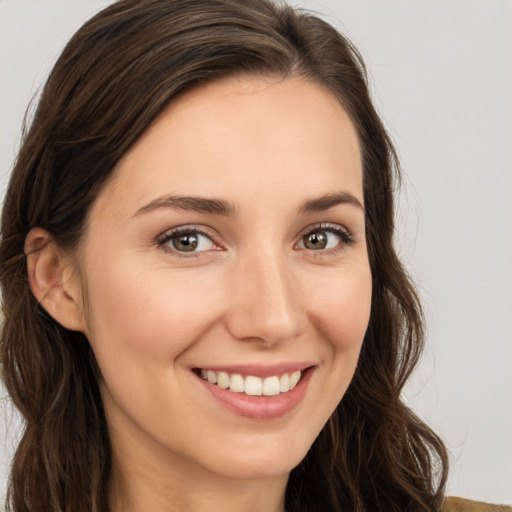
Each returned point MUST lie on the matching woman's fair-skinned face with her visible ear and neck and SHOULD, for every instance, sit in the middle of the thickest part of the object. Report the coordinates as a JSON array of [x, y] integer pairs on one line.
[[271, 278]]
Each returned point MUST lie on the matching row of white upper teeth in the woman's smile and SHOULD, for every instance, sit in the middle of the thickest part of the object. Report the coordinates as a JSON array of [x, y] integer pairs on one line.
[[253, 386]]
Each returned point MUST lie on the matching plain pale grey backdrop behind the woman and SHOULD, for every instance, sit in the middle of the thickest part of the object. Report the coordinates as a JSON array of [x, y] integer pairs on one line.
[[441, 73]]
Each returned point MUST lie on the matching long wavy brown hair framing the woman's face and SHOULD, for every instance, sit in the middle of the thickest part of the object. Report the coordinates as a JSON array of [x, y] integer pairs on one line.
[[113, 79]]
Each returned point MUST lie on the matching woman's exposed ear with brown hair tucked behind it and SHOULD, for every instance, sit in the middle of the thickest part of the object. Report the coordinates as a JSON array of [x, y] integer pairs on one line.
[[53, 280]]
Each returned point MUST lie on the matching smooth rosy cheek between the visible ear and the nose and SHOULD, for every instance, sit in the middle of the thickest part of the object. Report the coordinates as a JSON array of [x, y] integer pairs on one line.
[[152, 315]]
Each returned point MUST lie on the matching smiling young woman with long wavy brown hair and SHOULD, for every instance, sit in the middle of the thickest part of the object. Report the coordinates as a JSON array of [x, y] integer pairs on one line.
[[203, 306]]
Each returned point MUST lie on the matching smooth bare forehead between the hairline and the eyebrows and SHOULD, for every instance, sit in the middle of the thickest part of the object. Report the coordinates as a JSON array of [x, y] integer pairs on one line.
[[242, 137]]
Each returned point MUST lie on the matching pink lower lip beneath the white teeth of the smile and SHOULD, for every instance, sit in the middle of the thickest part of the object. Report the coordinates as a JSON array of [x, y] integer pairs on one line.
[[260, 407]]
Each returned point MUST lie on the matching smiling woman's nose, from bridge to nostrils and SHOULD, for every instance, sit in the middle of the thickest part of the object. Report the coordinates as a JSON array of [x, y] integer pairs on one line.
[[265, 304]]
